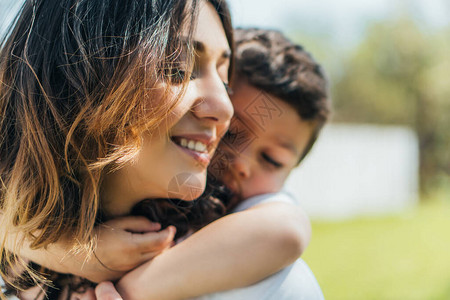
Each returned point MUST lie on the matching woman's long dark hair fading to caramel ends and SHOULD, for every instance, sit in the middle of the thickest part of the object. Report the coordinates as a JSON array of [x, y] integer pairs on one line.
[[77, 79]]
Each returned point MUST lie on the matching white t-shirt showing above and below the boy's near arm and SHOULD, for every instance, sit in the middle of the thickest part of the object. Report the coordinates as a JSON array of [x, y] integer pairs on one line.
[[295, 282]]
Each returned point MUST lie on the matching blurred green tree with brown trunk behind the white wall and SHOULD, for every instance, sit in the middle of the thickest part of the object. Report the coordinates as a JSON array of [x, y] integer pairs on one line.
[[399, 75]]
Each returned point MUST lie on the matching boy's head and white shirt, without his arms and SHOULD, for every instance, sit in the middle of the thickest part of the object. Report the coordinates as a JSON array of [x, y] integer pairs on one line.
[[281, 103]]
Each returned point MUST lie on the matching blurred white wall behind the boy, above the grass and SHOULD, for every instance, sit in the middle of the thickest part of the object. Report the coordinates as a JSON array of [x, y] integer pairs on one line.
[[356, 170]]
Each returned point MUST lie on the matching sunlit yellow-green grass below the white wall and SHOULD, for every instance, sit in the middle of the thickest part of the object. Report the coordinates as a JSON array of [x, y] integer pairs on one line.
[[401, 257]]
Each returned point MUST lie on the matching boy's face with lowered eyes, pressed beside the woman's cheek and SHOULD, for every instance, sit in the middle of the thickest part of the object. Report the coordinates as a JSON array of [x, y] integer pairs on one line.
[[265, 142]]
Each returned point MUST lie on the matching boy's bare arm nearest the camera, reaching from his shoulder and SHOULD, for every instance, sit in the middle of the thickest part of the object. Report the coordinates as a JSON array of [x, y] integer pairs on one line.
[[234, 251]]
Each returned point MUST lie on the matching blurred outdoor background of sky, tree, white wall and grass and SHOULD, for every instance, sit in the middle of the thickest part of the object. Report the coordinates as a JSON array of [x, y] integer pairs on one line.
[[377, 183]]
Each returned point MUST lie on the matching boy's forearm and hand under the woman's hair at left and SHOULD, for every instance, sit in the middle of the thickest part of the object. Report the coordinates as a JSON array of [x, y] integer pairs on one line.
[[122, 244]]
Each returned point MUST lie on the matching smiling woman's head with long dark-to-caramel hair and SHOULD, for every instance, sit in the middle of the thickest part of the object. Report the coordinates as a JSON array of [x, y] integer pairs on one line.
[[104, 103]]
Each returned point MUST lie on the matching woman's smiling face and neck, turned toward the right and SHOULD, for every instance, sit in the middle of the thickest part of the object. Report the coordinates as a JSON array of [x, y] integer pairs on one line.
[[172, 162]]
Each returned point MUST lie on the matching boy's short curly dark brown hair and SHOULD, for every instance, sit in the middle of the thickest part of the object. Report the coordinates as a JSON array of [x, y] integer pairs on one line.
[[269, 61]]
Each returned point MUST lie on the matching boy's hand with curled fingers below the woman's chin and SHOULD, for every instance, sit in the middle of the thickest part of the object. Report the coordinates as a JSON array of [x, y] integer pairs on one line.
[[123, 244]]
